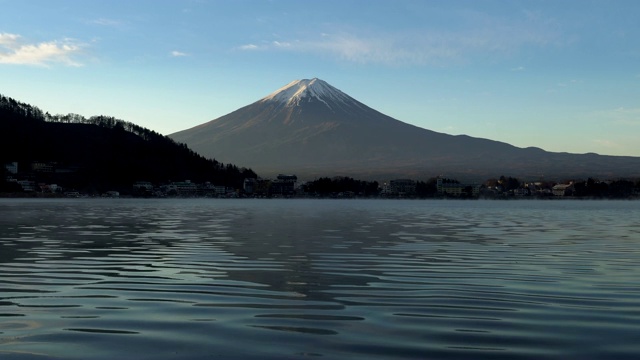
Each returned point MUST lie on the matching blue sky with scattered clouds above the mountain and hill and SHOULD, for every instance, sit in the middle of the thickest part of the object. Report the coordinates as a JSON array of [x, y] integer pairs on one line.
[[560, 75]]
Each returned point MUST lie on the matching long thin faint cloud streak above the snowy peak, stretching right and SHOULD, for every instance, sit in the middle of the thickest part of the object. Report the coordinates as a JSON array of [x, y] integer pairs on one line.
[[418, 47]]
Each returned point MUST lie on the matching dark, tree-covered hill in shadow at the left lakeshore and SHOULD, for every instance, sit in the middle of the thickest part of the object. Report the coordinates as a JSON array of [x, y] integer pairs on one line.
[[100, 153]]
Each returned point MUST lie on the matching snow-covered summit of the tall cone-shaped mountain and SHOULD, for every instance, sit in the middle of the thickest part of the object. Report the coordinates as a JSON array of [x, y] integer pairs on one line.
[[297, 91]]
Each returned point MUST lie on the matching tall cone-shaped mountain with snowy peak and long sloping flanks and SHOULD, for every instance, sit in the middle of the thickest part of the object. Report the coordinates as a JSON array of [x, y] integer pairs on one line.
[[310, 128]]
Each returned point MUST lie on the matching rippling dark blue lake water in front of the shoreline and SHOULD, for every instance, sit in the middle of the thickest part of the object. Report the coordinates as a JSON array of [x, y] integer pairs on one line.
[[292, 279]]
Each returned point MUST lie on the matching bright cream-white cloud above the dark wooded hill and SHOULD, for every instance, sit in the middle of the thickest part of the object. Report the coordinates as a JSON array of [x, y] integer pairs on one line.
[[14, 51]]
